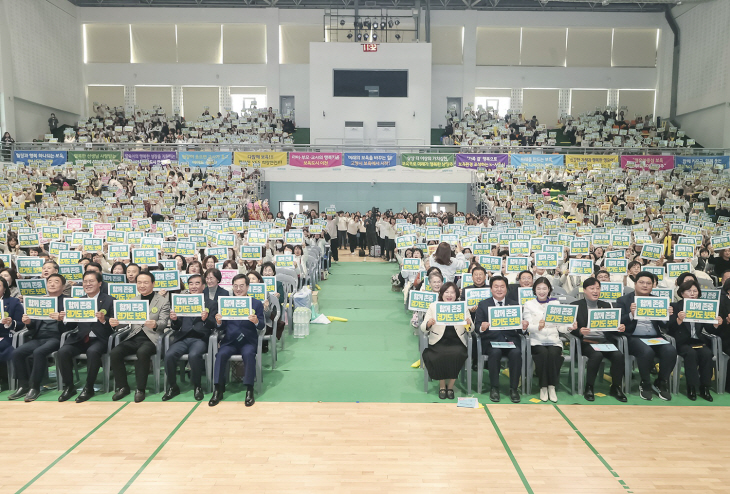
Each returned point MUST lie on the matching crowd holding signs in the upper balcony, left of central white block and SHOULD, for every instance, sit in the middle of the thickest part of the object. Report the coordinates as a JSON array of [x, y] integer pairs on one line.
[[115, 125]]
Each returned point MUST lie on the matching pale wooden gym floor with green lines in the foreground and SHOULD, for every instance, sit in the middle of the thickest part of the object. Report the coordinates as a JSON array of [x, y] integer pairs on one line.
[[104, 447]]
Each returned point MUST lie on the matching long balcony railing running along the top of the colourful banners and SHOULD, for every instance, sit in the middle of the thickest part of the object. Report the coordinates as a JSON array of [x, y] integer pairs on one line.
[[334, 148]]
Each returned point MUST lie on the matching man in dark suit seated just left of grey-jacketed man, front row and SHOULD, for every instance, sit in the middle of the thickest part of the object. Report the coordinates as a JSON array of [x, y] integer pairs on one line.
[[90, 338]]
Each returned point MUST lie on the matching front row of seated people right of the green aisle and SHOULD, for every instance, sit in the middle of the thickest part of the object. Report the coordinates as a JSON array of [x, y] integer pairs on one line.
[[446, 353]]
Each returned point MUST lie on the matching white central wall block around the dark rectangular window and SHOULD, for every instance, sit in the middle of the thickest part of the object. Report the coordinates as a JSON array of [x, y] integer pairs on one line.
[[412, 115]]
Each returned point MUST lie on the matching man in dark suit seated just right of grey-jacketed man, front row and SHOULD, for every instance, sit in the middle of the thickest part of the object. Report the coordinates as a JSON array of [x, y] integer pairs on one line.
[[191, 338]]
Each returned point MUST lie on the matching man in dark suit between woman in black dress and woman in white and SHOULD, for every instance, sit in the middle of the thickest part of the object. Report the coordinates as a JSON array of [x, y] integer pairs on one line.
[[499, 286]]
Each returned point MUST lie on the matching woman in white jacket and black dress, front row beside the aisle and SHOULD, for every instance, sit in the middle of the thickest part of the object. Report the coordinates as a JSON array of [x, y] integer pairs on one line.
[[446, 352]]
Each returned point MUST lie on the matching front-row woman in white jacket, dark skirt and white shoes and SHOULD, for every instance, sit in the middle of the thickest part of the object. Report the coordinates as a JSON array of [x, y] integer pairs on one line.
[[547, 349]]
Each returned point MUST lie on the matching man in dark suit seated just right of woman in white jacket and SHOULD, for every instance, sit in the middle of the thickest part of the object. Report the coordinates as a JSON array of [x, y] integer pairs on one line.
[[592, 292]]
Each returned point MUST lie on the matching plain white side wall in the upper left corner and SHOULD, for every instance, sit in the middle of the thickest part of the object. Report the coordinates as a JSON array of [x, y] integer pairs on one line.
[[41, 57]]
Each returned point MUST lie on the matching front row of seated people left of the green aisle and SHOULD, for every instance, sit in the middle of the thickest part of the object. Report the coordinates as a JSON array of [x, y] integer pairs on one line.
[[191, 336]]
